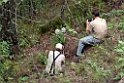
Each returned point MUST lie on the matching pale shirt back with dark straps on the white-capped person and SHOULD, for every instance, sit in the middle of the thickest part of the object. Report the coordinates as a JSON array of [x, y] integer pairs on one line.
[[59, 62]]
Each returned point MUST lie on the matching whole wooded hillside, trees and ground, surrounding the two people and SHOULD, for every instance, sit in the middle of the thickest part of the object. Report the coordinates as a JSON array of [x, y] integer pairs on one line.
[[26, 27]]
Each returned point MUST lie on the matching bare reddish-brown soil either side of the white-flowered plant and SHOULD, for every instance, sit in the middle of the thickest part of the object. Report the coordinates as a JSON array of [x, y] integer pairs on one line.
[[46, 45]]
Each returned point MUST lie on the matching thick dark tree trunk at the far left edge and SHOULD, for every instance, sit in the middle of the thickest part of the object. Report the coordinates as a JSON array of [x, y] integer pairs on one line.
[[9, 29]]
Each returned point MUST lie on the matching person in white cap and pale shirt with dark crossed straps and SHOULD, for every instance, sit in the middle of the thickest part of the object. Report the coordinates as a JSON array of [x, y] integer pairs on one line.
[[56, 60]]
